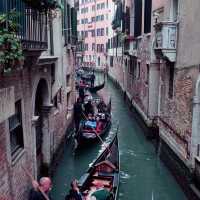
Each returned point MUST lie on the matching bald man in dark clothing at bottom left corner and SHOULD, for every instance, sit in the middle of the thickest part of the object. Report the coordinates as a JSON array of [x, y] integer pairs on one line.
[[44, 186]]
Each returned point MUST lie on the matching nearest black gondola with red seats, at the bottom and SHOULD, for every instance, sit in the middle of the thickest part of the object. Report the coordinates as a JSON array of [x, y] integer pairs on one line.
[[102, 178]]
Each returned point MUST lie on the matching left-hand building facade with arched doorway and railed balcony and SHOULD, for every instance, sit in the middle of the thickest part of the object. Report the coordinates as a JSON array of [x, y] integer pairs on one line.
[[36, 97]]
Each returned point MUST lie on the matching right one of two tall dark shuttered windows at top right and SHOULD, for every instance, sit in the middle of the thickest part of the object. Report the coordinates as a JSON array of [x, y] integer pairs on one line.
[[147, 16]]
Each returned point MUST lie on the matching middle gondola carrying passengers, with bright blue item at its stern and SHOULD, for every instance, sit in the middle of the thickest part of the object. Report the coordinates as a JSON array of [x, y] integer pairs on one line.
[[90, 130]]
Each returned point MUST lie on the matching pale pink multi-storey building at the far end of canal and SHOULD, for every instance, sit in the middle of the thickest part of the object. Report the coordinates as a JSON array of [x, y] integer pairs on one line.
[[94, 25]]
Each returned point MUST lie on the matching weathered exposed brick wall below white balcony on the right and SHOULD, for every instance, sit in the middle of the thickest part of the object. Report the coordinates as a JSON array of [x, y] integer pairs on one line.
[[177, 111]]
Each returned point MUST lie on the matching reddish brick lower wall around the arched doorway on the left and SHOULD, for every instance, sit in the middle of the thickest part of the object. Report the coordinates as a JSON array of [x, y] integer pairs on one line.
[[13, 180]]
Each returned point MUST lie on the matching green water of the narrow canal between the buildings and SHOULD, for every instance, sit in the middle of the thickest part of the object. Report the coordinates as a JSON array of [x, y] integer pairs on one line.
[[143, 175]]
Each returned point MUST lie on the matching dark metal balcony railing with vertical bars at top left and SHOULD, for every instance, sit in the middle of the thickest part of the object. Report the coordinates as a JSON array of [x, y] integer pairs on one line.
[[32, 24]]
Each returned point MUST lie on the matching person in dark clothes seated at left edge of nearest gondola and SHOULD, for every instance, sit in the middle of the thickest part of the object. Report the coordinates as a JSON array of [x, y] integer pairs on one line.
[[74, 193]]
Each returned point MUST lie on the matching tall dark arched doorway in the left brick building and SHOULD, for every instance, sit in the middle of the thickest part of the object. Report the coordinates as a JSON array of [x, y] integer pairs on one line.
[[41, 99]]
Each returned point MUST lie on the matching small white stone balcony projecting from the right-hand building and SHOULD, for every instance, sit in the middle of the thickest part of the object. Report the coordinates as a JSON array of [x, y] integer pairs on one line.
[[165, 44]]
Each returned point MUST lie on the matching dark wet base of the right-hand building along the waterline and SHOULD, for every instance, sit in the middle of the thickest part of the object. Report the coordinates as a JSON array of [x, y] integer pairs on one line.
[[170, 157]]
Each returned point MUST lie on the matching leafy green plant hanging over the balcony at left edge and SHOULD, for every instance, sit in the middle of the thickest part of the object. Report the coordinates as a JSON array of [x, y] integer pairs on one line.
[[11, 54]]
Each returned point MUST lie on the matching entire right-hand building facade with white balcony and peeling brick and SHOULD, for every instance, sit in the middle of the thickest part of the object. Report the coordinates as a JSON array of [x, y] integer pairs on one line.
[[159, 73]]
